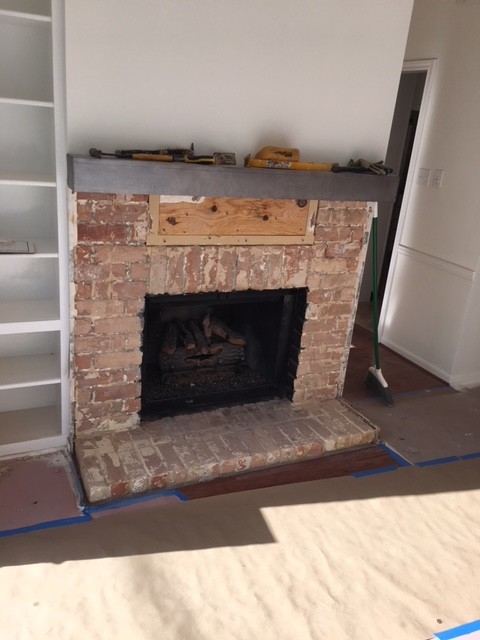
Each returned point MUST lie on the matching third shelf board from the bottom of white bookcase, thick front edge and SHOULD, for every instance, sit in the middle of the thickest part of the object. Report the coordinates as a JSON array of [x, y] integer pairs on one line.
[[27, 316]]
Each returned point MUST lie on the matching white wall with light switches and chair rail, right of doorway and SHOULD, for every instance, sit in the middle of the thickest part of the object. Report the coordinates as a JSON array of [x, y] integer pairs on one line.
[[433, 305]]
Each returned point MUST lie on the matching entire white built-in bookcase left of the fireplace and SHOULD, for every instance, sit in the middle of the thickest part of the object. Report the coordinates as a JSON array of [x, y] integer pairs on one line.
[[34, 387]]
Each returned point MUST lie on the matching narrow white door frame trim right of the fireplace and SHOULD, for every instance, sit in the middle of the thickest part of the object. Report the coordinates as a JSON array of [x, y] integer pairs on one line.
[[409, 66]]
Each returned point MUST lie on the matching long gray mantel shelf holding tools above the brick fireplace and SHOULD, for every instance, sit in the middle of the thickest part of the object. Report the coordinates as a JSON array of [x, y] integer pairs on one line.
[[86, 174]]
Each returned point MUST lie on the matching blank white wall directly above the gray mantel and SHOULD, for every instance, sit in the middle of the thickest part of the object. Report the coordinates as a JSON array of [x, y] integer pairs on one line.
[[320, 75]]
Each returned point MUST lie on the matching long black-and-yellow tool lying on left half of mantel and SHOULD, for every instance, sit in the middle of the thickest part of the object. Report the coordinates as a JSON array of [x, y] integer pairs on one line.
[[167, 155]]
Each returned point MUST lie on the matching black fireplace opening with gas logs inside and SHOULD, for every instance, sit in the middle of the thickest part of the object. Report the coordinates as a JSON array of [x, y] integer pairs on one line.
[[211, 350]]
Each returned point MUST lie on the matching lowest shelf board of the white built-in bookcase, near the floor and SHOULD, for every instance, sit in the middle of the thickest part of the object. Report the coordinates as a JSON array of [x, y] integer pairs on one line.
[[29, 430]]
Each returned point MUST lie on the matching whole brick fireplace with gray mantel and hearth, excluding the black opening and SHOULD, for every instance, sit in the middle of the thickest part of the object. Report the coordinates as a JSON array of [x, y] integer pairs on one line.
[[115, 270]]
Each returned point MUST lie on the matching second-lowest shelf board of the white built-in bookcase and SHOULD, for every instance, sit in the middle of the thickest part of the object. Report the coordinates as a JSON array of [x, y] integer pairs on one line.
[[29, 371]]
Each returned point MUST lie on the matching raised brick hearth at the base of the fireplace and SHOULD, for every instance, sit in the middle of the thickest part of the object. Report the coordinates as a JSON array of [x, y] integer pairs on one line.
[[174, 452]]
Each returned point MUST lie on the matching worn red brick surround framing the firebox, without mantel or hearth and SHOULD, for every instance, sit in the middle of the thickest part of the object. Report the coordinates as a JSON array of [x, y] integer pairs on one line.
[[114, 270]]
